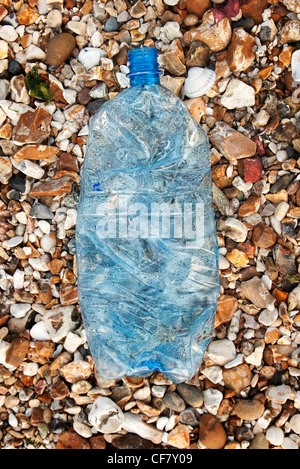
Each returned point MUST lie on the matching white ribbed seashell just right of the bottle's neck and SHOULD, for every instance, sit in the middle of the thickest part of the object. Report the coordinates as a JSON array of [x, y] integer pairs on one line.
[[199, 81]]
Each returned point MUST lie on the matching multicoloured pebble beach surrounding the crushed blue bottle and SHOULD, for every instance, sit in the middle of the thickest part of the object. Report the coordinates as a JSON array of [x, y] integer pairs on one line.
[[60, 61]]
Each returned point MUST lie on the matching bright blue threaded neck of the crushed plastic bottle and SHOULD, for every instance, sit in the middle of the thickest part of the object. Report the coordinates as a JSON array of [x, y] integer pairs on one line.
[[143, 66]]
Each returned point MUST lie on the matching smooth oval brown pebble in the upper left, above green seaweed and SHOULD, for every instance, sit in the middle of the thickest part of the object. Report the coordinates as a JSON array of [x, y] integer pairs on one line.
[[59, 48]]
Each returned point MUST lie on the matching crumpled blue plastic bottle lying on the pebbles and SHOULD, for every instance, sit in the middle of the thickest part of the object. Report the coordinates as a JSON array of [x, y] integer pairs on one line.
[[146, 247]]
